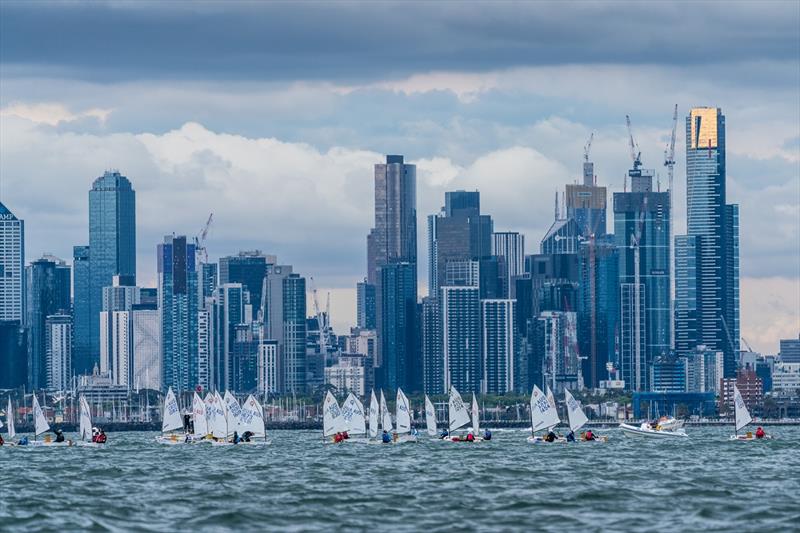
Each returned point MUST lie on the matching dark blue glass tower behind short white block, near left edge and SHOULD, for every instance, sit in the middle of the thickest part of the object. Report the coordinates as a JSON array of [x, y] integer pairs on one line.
[[47, 292]]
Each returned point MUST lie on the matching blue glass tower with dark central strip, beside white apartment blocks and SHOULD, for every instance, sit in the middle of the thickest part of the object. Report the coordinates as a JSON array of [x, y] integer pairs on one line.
[[178, 302]]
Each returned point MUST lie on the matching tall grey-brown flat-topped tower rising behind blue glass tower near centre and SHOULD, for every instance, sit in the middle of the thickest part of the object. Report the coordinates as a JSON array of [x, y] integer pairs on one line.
[[394, 237]]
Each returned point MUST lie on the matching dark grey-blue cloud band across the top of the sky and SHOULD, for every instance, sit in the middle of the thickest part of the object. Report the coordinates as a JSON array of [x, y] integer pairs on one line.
[[362, 41]]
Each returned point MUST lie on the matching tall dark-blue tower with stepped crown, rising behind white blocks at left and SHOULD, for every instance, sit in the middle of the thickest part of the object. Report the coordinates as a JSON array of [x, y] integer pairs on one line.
[[112, 244]]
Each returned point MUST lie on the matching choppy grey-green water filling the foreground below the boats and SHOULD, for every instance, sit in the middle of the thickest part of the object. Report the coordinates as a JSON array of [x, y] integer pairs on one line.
[[298, 483]]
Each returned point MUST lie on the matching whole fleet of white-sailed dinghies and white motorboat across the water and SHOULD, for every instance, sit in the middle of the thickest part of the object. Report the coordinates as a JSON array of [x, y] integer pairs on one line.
[[222, 421]]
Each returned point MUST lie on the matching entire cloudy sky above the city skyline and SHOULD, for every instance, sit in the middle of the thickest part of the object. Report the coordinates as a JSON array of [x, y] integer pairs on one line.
[[271, 115]]
